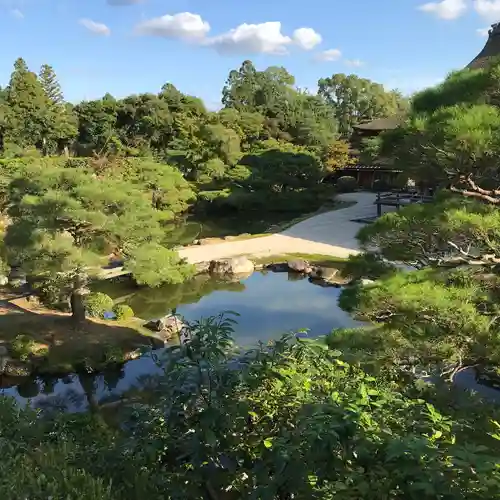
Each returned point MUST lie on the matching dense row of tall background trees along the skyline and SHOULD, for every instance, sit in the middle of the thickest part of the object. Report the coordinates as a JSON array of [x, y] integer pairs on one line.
[[262, 109]]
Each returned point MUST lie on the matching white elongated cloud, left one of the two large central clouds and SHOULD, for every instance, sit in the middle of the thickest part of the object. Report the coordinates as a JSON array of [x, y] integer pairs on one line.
[[185, 26]]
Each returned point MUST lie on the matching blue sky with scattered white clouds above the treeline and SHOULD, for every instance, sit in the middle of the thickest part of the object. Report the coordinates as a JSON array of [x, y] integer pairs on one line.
[[96, 47]]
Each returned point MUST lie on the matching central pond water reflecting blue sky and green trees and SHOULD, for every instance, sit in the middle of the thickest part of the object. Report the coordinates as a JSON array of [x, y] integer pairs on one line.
[[269, 304]]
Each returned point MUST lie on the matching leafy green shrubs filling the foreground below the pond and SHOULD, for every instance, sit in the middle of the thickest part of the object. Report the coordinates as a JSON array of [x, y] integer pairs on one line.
[[287, 420]]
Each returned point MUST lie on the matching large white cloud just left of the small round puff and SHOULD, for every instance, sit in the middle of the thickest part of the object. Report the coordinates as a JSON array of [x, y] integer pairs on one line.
[[265, 38]]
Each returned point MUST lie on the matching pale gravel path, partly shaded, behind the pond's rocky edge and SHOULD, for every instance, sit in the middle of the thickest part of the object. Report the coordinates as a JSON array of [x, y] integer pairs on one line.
[[331, 233]]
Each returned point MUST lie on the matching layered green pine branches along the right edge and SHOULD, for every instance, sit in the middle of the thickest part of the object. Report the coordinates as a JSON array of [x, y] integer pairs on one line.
[[448, 308]]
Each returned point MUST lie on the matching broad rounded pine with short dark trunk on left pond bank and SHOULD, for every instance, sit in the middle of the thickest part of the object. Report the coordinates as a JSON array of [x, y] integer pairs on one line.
[[65, 219]]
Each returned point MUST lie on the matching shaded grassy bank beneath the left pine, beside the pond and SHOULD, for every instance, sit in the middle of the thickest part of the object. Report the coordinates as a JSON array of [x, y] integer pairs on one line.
[[52, 343]]
